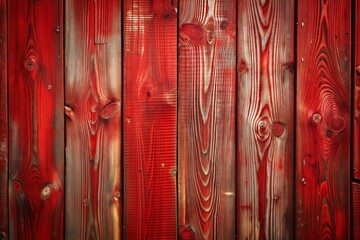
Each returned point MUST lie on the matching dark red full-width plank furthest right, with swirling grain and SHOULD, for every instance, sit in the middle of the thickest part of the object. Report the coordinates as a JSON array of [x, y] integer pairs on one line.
[[323, 120]]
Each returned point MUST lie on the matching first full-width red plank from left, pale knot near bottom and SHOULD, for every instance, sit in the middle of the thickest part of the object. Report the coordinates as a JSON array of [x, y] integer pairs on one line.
[[36, 136]]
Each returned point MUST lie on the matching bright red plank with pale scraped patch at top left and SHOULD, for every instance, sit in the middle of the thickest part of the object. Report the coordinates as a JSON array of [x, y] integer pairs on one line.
[[150, 30]]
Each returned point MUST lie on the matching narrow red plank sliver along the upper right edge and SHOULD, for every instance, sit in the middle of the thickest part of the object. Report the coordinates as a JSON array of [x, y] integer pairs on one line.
[[356, 100]]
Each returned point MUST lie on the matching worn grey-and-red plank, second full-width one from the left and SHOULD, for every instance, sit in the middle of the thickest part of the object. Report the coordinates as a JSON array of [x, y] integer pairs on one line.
[[93, 120]]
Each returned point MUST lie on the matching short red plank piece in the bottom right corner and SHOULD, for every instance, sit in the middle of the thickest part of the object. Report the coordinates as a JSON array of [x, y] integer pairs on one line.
[[355, 188]]
